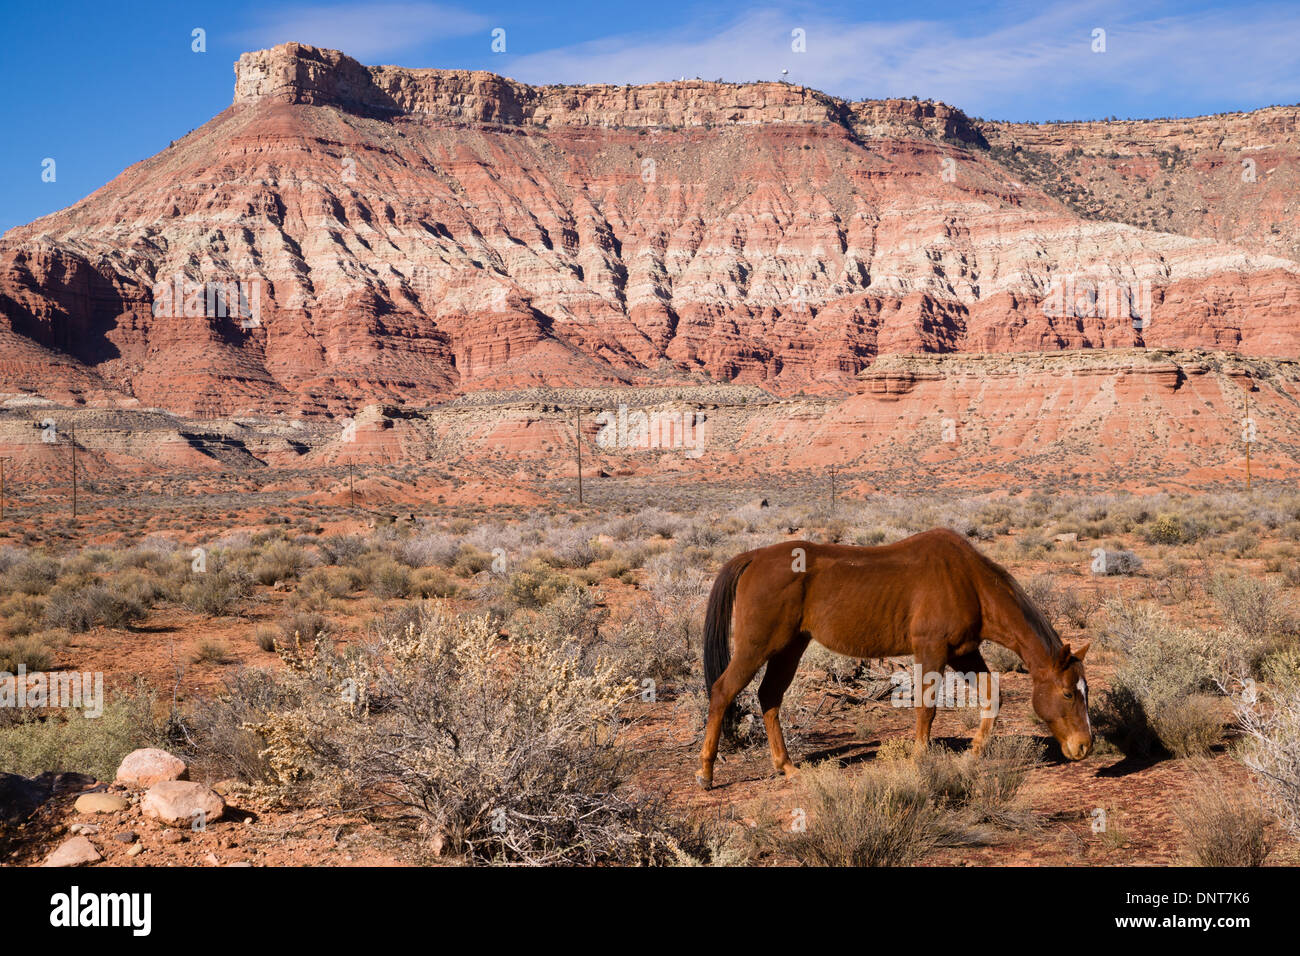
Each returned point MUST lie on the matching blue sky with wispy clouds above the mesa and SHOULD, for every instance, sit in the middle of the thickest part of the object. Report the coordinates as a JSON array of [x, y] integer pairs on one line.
[[98, 86]]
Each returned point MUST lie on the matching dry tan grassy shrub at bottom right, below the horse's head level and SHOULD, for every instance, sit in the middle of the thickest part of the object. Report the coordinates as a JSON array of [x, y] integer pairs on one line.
[[1223, 827]]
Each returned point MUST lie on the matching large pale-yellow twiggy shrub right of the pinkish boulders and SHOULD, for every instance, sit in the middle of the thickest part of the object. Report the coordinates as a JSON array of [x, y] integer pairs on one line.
[[508, 752]]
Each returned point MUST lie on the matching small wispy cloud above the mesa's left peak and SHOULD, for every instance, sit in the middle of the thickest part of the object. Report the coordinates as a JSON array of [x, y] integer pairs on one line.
[[365, 32]]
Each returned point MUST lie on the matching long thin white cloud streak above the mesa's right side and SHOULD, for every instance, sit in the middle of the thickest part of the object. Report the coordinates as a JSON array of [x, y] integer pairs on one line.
[[1041, 63]]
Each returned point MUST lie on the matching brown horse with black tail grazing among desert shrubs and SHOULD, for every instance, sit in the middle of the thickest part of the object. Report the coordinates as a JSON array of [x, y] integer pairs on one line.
[[933, 595]]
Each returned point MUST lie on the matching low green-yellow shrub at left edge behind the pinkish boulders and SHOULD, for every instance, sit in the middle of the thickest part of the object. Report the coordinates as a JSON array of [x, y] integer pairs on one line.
[[70, 742]]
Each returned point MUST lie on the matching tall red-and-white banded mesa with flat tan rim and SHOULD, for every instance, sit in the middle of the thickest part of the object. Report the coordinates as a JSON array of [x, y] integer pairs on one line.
[[346, 235]]
